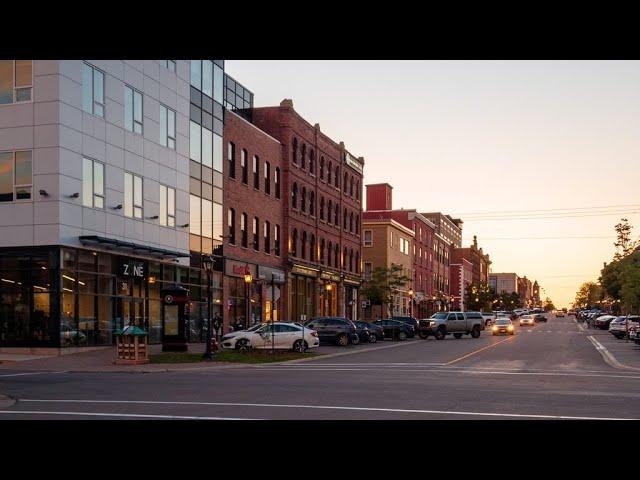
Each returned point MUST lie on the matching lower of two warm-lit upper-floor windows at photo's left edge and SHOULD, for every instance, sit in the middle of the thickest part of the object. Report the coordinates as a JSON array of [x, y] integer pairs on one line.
[[16, 175]]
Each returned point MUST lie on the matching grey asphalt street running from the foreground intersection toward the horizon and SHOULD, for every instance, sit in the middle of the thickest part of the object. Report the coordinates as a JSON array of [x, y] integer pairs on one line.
[[549, 371]]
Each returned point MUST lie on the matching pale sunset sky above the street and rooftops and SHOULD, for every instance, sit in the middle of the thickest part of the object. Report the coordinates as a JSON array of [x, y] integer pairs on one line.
[[551, 140]]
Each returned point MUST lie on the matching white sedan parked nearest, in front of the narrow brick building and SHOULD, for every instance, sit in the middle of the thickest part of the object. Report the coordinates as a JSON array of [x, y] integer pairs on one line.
[[280, 335]]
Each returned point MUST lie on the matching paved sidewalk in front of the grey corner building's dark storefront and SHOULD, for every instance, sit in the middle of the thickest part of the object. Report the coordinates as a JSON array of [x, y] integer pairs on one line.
[[102, 361]]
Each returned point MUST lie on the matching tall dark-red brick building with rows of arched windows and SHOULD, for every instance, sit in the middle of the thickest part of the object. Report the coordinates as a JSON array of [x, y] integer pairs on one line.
[[322, 215]]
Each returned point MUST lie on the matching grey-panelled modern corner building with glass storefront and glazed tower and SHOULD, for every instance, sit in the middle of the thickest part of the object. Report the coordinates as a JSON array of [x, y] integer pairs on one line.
[[110, 190]]
